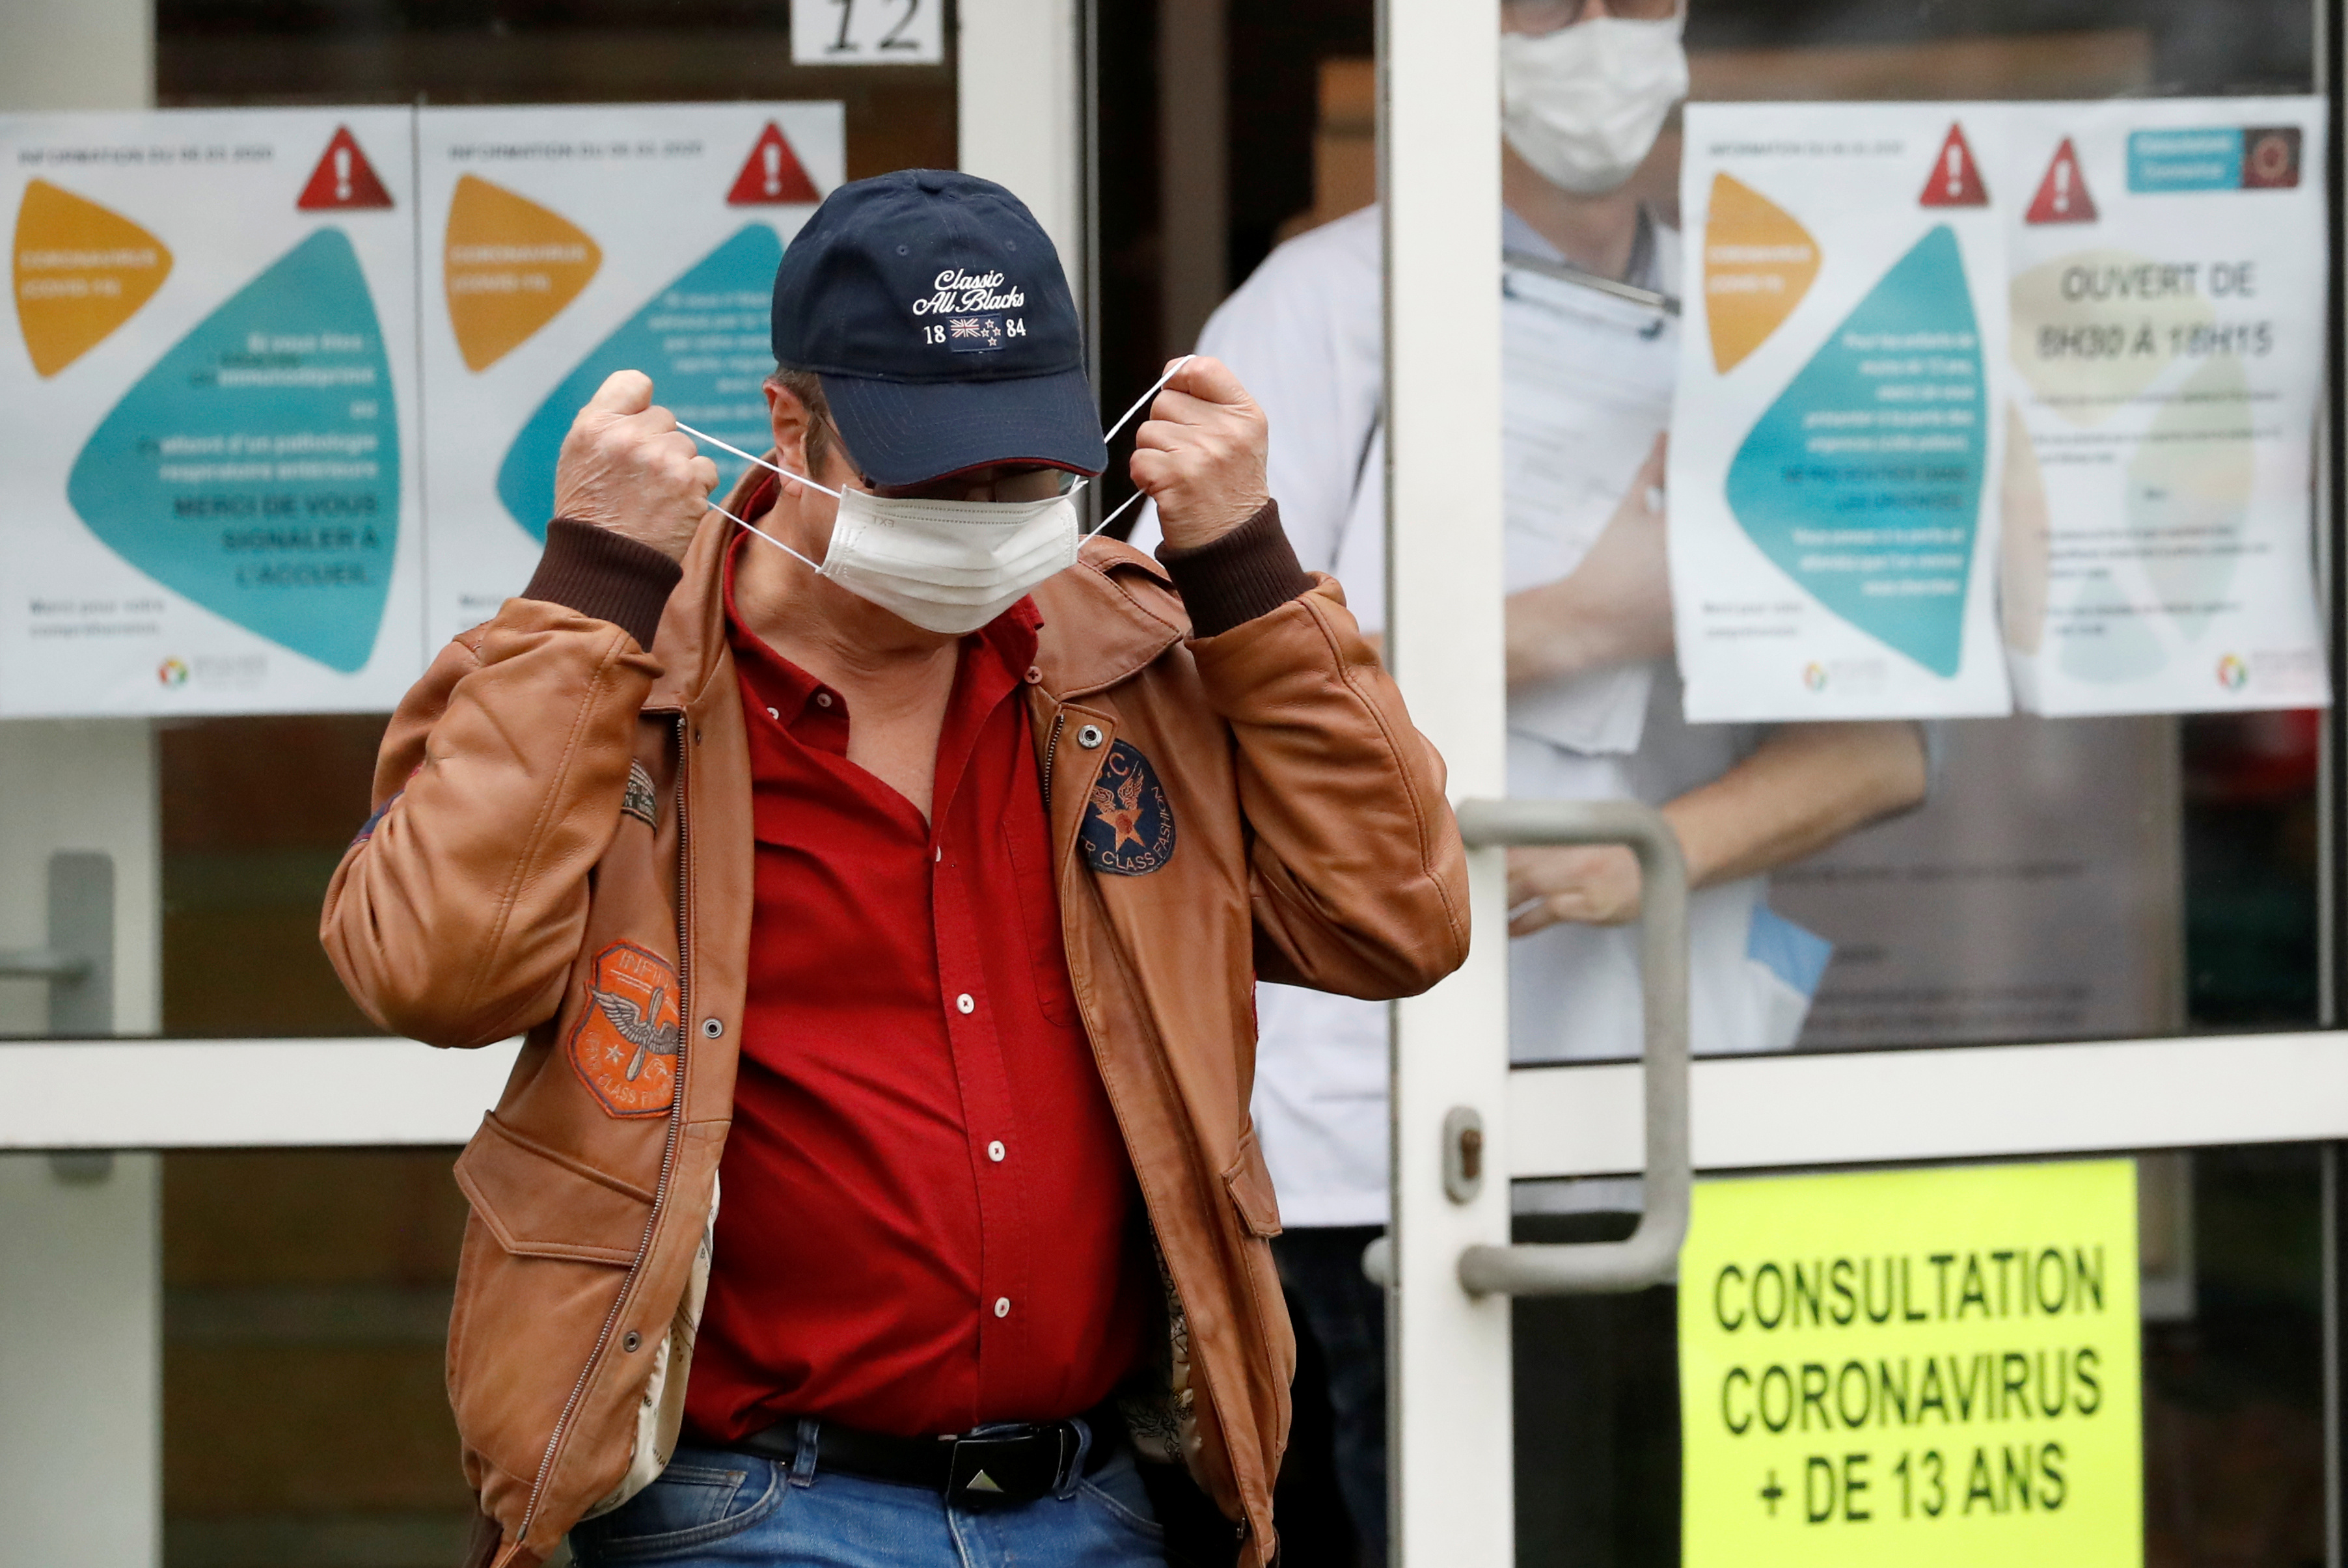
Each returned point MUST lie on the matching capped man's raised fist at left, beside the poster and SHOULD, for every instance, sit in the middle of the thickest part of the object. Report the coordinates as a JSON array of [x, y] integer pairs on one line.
[[628, 468]]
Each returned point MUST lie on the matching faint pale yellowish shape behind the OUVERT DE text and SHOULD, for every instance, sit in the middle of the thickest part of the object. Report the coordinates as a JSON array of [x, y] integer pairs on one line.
[[2093, 330]]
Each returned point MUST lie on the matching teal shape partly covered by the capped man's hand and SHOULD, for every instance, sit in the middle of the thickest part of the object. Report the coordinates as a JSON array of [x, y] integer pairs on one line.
[[703, 342]]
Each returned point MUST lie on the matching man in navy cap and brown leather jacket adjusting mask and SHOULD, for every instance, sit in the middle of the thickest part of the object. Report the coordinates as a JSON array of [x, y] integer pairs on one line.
[[919, 910]]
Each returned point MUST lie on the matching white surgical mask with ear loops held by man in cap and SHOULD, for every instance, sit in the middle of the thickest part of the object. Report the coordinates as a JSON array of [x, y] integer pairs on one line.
[[945, 567]]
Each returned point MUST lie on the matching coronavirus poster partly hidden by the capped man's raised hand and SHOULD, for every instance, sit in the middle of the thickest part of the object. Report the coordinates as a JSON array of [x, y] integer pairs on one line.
[[562, 245]]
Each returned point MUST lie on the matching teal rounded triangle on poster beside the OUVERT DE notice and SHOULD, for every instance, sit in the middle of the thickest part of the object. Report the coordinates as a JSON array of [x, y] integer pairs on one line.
[[1865, 478]]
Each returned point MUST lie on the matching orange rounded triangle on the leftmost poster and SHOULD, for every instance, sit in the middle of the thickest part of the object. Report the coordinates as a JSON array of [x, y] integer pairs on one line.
[[81, 273]]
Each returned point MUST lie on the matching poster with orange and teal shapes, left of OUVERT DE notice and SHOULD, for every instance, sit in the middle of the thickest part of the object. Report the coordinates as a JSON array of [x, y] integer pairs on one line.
[[1833, 442]]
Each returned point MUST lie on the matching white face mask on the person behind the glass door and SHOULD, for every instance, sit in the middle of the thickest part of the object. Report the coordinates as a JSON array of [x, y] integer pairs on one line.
[[1584, 104]]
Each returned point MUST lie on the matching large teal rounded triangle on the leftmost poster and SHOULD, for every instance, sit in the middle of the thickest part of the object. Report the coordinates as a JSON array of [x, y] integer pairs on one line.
[[257, 466]]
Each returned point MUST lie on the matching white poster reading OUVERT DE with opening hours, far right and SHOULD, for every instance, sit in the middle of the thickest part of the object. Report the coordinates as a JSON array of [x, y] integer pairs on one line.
[[2168, 273]]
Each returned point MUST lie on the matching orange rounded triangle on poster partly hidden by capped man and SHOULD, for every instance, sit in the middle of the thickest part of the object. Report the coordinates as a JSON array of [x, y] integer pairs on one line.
[[508, 266]]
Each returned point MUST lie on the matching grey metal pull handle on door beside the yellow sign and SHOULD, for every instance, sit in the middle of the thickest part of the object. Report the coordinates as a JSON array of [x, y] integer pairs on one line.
[[1652, 1252]]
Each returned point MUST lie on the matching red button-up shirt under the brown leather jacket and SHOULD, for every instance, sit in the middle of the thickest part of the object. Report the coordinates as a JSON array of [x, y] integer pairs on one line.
[[926, 1208]]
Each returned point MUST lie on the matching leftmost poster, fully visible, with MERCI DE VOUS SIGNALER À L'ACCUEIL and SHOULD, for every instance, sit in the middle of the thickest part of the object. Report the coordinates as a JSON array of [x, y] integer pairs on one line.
[[210, 485]]
